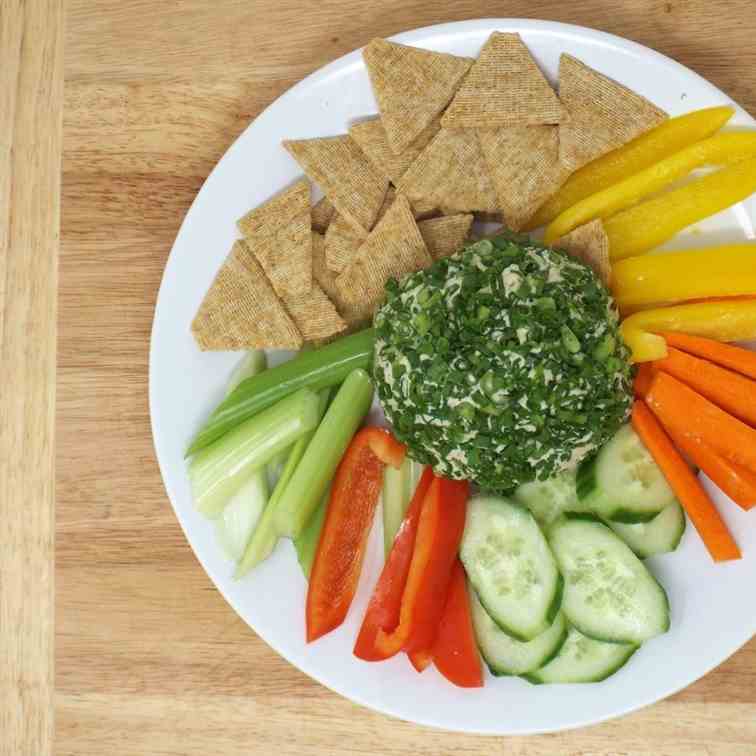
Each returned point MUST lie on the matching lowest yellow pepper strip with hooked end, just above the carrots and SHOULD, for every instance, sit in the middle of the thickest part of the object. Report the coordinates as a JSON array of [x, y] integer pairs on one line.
[[722, 320]]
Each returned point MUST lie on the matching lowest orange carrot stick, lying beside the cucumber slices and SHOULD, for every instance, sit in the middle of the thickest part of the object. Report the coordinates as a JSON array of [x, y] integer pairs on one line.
[[686, 486]]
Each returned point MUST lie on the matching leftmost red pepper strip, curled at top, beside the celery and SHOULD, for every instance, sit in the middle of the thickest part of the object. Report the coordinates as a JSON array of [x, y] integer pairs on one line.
[[341, 549]]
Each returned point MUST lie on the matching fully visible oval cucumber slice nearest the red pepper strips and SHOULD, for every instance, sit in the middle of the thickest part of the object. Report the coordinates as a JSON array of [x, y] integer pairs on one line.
[[511, 567]]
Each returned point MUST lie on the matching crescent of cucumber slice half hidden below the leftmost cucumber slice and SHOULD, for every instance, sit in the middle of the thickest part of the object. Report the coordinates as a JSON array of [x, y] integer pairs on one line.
[[506, 656]]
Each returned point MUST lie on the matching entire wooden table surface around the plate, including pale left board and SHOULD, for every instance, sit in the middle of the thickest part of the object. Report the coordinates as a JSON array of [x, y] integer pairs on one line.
[[149, 658]]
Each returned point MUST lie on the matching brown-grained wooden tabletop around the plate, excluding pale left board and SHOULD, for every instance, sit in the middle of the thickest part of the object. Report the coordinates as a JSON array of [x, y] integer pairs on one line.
[[150, 659]]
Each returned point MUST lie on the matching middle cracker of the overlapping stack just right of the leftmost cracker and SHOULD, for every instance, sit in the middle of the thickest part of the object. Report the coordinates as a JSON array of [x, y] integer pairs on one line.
[[286, 257]]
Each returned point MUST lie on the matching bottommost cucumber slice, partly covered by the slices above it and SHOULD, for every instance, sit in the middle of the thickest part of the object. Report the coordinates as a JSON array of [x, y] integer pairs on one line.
[[582, 659]]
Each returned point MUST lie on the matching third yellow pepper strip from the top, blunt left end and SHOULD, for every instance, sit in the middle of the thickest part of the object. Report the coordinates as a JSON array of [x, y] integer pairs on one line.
[[641, 228]]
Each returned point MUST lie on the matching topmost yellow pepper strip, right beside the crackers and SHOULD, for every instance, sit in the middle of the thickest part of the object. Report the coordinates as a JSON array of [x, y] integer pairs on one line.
[[647, 149]]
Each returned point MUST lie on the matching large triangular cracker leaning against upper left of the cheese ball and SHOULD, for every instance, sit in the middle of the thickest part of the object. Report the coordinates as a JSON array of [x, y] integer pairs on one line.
[[394, 248]]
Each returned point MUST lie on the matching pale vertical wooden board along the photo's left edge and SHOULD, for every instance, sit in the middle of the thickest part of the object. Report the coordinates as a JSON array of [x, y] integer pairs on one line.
[[31, 101]]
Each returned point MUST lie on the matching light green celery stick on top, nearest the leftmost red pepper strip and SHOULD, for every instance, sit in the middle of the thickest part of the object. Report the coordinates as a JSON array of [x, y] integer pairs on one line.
[[308, 484]]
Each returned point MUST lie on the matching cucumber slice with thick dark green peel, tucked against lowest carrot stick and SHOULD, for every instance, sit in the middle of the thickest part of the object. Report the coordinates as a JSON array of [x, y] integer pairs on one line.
[[622, 482]]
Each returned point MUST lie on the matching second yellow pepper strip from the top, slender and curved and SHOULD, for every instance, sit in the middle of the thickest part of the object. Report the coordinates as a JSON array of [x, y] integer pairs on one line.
[[722, 149]]
